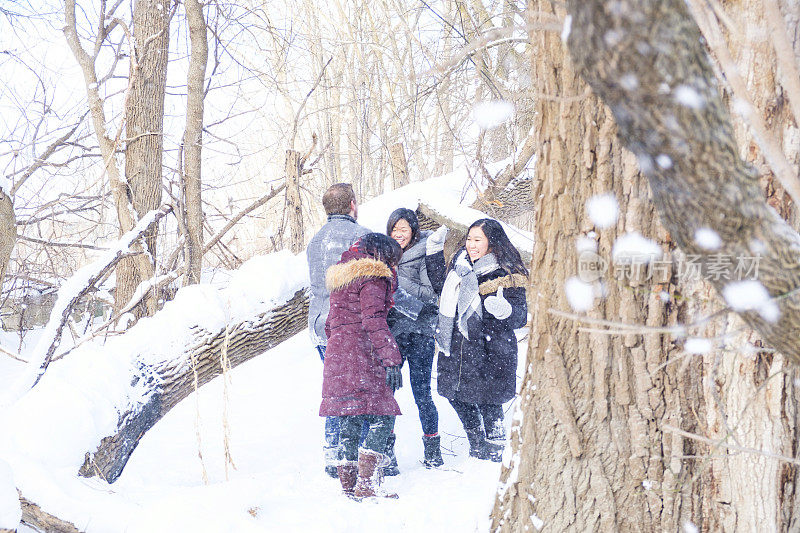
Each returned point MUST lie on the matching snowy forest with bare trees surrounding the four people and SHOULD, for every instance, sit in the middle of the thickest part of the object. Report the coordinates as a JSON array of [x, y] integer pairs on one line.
[[163, 165]]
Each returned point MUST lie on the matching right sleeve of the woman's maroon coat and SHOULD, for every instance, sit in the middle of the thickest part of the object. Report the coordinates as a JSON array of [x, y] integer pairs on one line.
[[374, 306]]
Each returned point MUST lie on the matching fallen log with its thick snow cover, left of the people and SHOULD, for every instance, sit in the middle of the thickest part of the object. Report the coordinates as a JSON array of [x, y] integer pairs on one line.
[[106, 393]]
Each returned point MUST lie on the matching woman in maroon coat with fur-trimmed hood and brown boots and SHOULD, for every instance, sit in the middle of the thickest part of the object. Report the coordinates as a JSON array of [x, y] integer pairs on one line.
[[362, 361]]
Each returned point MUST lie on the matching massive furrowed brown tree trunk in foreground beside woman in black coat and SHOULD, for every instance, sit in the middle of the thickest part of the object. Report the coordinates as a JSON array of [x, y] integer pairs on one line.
[[590, 404]]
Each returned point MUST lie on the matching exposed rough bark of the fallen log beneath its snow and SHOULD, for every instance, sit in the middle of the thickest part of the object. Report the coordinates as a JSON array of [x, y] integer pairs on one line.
[[174, 379]]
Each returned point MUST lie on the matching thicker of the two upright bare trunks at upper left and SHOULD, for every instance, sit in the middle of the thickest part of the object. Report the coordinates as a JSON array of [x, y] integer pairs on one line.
[[144, 133]]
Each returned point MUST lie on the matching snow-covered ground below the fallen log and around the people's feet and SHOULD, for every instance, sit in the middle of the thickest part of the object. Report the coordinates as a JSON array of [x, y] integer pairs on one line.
[[278, 483]]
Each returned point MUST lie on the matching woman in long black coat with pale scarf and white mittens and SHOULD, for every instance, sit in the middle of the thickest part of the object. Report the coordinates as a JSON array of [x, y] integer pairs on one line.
[[482, 303]]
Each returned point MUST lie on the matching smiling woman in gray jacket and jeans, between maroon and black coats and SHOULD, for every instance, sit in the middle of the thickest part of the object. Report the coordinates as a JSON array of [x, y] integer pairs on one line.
[[413, 322]]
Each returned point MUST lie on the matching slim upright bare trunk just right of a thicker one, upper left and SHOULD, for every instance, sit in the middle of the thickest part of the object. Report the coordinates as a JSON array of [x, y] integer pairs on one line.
[[193, 140]]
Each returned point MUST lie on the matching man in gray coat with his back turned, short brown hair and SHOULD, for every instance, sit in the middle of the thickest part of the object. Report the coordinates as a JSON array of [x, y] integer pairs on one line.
[[324, 250]]
